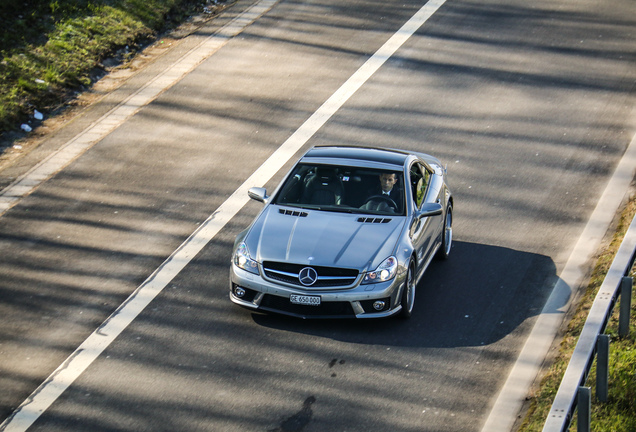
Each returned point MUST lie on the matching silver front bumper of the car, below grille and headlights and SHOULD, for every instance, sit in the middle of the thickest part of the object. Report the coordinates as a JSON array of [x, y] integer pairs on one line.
[[351, 302]]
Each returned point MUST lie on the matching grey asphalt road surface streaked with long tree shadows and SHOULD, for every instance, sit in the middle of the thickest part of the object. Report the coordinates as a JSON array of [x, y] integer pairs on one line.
[[529, 104]]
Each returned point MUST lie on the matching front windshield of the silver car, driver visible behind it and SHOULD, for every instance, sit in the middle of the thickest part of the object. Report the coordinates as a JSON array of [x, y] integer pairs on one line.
[[344, 189]]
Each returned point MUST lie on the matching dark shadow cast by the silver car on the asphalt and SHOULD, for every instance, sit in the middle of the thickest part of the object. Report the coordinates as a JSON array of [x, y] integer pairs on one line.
[[478, 296]]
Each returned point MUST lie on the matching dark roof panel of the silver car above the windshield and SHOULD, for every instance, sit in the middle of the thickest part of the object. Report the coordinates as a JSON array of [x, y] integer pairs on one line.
[[361, 154]]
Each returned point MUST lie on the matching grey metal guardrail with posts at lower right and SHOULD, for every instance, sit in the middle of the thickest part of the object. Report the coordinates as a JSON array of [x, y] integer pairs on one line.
[[572, 393]]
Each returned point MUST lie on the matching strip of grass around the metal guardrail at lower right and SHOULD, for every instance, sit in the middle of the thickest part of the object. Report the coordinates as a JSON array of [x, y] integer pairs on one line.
[[618, 414]]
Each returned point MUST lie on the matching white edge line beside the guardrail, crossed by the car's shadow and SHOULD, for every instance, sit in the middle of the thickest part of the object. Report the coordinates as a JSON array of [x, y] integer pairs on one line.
[[527, 366]]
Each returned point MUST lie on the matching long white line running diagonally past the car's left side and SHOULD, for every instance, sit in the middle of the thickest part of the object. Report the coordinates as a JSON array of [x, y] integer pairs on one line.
[[98, 341]]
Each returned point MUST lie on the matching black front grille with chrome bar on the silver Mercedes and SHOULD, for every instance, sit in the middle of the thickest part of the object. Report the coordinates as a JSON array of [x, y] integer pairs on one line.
[[327, 276]]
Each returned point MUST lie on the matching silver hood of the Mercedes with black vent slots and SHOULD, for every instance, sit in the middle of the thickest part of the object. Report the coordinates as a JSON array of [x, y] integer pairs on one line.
[[322, 238]]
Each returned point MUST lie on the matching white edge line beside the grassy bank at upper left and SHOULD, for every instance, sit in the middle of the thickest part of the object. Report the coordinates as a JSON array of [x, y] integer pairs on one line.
[[110, 121]]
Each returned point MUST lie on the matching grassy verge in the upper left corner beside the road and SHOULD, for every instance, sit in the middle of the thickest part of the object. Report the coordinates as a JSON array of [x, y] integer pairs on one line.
[[53, 48]]
